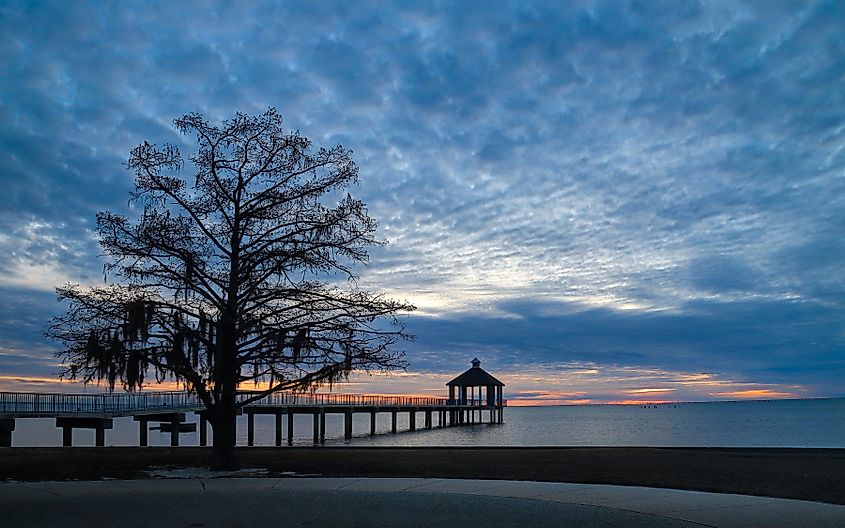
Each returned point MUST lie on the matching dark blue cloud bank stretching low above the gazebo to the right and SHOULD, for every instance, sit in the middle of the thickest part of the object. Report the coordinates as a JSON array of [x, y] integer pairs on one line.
[[772, 342]]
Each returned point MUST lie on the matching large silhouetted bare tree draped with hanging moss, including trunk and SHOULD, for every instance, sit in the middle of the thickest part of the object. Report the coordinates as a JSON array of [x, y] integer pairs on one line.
[[233, 277]]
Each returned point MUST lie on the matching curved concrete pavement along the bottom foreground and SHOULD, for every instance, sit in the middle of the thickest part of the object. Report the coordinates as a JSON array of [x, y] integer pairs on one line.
[[345, 502]]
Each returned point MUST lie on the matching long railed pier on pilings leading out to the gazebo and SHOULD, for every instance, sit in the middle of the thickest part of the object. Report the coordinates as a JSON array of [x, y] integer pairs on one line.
[[96, 411]]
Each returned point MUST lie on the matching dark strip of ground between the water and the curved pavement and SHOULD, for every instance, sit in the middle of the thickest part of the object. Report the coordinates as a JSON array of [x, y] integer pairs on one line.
[[809, 474]]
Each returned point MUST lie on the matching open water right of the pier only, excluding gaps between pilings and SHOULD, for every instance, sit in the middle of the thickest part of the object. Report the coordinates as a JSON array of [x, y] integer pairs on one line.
[[785, 423]]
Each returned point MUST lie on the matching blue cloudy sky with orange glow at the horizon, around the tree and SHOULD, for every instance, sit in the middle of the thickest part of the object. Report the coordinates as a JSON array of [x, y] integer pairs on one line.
[[612, 201]]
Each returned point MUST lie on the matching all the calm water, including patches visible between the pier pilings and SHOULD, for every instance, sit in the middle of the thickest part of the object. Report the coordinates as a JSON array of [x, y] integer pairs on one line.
[[775, 423]]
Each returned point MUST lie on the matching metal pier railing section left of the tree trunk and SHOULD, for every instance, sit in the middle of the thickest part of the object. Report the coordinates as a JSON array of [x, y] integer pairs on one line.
[[112, 404]]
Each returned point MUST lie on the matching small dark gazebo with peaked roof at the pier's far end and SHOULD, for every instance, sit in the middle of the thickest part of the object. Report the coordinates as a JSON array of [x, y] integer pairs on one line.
[[475, 390]]
